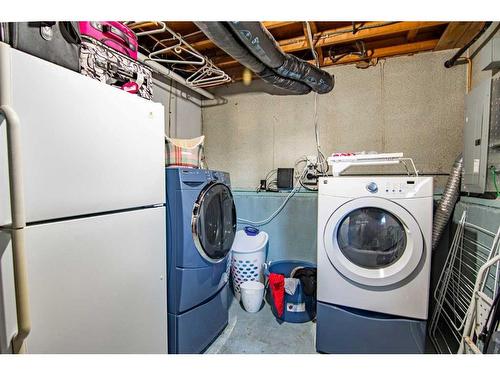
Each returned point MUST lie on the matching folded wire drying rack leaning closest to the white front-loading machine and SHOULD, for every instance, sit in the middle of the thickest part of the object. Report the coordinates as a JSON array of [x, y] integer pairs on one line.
[[471, 248]]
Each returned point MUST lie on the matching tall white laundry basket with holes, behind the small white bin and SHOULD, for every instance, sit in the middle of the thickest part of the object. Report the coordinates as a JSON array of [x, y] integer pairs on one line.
[[249, 256]]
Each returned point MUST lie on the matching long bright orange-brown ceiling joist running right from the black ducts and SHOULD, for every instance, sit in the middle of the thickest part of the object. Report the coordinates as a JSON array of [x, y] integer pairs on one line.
[[345, 35]]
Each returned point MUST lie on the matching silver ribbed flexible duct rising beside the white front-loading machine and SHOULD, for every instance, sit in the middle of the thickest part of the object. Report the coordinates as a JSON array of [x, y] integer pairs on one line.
[[447, 202]]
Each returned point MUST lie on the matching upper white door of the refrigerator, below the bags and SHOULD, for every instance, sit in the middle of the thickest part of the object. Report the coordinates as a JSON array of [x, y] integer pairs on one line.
[[87, 147]]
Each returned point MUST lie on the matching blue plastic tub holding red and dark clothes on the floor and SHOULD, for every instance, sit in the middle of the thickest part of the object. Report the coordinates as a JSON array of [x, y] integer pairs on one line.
[[299, 308]]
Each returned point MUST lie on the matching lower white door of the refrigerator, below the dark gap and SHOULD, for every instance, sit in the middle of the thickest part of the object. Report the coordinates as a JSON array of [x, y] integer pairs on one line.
[[96, 285]]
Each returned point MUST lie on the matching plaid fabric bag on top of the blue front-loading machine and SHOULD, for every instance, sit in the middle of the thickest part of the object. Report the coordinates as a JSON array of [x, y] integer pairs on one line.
[[184, 152]]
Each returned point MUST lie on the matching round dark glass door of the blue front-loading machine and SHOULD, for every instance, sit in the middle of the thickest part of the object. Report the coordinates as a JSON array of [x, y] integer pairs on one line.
[[214, 222]]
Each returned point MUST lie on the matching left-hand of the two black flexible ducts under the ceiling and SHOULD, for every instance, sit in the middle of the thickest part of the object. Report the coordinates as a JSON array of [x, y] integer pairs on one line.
[[223, 38]]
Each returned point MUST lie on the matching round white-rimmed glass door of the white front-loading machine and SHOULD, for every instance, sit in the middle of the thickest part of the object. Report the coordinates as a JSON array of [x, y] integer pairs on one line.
[[373, 241]]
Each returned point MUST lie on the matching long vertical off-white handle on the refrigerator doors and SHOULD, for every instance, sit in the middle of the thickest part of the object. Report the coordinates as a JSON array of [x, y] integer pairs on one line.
[[18, 227]]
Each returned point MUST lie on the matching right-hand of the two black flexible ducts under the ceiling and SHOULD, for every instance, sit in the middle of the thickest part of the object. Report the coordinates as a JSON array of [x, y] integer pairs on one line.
[[262, 45]]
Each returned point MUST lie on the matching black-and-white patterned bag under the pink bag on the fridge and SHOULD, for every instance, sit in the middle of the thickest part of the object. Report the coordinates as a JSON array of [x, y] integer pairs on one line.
[[104, 64]]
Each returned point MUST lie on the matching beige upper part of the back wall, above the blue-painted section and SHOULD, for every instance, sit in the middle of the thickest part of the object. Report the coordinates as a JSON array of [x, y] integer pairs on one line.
[[410, 104]]
